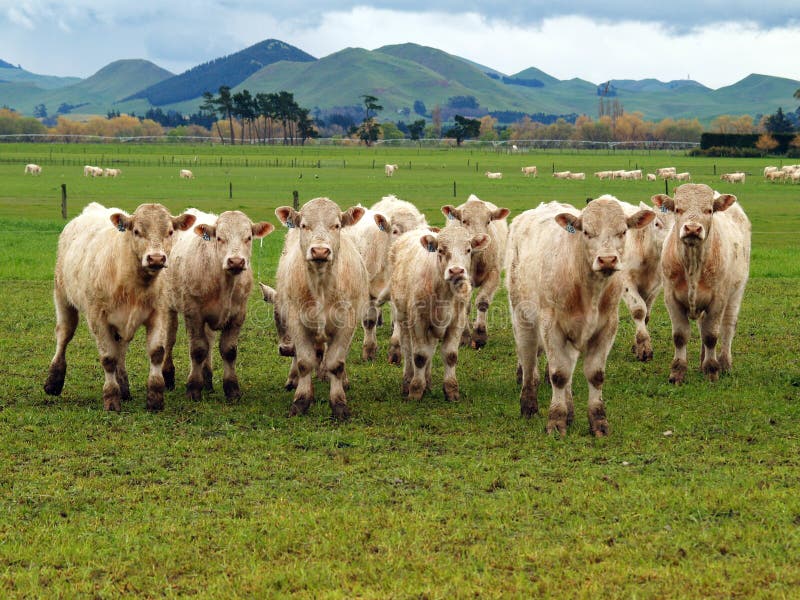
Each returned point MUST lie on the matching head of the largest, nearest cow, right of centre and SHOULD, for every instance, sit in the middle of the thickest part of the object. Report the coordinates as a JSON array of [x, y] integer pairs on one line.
[[602, 226]]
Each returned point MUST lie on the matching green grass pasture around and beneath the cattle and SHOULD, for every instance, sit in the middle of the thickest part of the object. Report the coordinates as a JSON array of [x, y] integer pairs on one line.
[[427, 499]]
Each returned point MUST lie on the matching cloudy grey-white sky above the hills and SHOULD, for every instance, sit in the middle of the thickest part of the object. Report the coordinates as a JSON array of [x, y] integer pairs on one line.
[[715, 42]]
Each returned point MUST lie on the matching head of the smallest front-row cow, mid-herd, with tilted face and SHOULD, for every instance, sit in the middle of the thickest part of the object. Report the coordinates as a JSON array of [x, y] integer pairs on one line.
[[454, 248]]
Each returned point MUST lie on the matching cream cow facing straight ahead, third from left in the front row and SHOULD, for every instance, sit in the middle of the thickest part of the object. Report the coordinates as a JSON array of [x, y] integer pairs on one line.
[[321, 293]]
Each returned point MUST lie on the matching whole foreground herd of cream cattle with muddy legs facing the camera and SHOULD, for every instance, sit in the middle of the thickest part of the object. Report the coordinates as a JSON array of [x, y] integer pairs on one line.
[[566, 272]]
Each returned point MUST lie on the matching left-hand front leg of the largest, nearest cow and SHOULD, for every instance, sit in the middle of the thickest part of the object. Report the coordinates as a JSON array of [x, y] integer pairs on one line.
[[561, 359]]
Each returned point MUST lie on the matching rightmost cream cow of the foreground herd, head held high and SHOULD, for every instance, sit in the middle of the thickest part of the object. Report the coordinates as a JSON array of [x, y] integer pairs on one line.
[[705, 264]]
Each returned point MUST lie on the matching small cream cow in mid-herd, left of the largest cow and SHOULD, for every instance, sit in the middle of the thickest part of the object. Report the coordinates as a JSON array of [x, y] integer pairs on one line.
[[430, 293]]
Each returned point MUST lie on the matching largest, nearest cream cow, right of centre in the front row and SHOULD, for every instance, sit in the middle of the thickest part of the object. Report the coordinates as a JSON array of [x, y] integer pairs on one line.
[[564, 294]]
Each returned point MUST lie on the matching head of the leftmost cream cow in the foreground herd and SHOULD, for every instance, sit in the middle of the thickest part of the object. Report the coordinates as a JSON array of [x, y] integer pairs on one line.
[[151, 233]]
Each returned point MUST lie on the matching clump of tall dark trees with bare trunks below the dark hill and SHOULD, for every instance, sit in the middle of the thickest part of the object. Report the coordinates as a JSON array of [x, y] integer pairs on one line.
[[258, 115]]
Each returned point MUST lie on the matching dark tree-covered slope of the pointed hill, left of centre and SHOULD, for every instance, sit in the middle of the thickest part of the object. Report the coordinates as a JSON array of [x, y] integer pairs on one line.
[[228, 70]]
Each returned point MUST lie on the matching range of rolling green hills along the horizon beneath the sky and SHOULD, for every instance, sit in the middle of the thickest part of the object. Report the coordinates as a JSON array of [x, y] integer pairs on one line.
[[398, 75]]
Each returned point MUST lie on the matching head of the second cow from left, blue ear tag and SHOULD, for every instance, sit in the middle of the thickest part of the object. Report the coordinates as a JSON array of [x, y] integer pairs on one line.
[[232, 238]]
